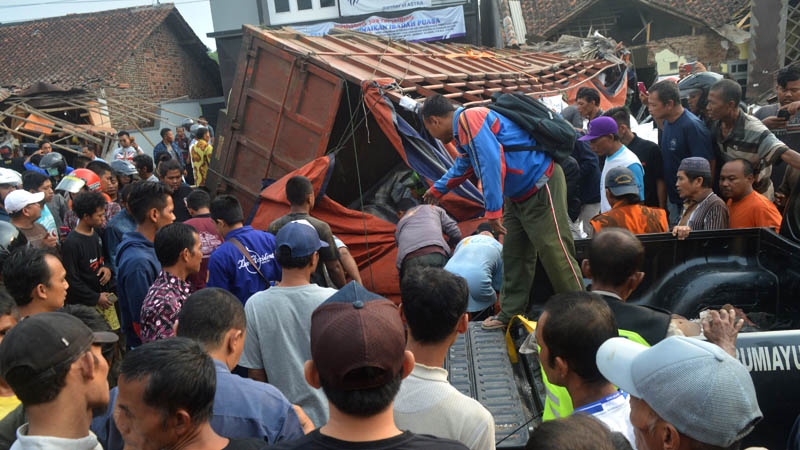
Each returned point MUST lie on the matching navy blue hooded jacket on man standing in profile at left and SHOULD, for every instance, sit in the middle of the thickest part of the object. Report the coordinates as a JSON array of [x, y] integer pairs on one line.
[[138, 268]]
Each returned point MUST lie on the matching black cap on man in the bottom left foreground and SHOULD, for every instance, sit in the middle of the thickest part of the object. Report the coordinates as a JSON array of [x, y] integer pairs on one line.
[[46, 341]]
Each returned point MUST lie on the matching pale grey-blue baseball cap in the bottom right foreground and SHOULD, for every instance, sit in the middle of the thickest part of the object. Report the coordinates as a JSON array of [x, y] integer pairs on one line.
[[692, 384]]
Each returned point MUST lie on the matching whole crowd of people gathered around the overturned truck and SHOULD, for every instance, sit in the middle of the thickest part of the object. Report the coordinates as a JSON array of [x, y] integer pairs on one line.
[[138, 311]]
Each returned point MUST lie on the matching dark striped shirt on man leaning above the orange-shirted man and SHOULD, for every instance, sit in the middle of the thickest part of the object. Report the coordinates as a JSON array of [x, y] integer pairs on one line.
[[751, 140]]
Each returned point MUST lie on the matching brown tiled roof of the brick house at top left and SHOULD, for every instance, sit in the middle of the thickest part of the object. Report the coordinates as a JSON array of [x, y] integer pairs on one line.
[[77, 50]]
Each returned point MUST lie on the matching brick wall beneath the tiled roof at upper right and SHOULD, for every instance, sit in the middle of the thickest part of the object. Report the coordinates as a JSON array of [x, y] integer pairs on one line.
[[707, 48]]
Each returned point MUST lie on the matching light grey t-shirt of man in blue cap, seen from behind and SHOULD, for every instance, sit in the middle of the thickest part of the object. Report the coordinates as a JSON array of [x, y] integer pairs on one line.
[[279, 341]]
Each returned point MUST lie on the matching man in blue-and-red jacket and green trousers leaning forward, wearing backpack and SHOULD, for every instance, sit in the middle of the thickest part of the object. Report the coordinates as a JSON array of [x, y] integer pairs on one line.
[[524, 196]]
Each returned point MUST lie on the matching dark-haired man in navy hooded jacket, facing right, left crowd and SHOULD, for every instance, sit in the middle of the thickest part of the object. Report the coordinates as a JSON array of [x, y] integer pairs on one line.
[[150, 204]]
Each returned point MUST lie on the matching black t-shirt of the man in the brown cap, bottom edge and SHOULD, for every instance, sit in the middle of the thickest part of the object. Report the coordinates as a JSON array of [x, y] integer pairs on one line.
[[405, 441]]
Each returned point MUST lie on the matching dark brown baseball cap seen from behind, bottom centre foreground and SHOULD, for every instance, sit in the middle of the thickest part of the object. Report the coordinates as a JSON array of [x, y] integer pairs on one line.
[[354, 329]]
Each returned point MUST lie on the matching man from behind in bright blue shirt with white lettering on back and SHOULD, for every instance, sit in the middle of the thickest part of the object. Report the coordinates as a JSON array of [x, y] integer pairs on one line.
[[245, 263]]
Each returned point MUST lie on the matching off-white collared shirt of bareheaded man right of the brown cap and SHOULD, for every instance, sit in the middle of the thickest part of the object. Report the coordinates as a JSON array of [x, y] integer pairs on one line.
[[428, 404]]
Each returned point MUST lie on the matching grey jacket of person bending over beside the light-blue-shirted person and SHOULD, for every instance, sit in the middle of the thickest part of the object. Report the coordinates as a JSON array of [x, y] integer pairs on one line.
[[423, 226]]
